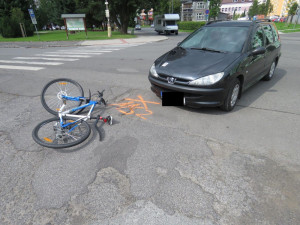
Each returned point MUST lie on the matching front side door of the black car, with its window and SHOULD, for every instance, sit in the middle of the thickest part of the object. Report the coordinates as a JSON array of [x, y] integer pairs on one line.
[[255, 64]]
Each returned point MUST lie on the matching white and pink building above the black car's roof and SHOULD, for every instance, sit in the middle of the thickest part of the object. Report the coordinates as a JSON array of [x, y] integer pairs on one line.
[[237, 6]]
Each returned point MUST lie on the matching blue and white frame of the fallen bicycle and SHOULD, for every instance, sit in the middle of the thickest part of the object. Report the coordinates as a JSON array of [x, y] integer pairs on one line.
[[62, 113]]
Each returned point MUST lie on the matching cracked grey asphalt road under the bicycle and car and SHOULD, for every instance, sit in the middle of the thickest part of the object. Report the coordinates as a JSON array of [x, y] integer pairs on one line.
[[156, 165]]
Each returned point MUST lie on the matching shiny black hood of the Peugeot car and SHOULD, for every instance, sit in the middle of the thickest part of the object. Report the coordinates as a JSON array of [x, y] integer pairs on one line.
[[191, 64]]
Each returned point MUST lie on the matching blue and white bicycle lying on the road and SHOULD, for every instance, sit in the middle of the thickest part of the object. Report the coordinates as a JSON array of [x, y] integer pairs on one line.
[[63, 98]]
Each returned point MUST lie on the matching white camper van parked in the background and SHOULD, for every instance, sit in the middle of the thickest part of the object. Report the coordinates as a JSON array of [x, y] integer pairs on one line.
[[166, 23]]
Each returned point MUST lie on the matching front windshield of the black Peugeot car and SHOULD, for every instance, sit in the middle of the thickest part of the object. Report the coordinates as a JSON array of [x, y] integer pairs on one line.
[[217, 39]]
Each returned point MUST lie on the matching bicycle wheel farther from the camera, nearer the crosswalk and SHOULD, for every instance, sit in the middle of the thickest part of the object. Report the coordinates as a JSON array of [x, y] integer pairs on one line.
[[52, 92]]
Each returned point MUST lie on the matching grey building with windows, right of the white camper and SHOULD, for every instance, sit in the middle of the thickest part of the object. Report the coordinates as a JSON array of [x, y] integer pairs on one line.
[[193, 10]]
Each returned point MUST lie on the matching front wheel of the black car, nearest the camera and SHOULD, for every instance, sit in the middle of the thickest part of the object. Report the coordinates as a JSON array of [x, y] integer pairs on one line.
[[232, 96]]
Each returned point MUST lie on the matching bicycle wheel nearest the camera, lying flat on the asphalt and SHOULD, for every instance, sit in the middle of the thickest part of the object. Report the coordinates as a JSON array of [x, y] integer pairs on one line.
[[50, 134]]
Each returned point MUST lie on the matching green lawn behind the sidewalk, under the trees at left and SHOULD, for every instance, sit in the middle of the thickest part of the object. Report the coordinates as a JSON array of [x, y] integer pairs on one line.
[[61, 35]]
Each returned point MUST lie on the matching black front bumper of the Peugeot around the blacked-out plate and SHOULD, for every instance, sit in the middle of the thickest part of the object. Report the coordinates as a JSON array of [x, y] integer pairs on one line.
[[193, 96]]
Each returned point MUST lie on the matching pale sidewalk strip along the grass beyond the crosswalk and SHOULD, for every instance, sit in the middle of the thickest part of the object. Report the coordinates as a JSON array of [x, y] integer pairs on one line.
[[137, 40]]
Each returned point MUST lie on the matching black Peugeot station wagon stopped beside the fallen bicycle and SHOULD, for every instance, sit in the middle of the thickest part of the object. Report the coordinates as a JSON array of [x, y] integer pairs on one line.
[[216, 63]]
